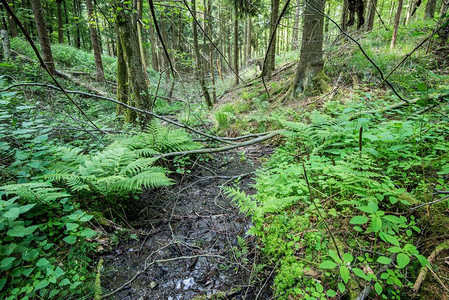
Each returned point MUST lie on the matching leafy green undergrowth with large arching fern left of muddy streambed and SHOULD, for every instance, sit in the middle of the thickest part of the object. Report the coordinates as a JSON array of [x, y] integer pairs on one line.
[[53, 183]]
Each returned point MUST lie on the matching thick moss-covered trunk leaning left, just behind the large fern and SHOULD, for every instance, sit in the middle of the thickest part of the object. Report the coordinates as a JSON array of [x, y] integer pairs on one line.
[[138, 83]]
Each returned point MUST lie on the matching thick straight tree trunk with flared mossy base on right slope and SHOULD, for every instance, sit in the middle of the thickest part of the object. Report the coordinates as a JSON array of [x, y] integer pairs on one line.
[[311, 56]]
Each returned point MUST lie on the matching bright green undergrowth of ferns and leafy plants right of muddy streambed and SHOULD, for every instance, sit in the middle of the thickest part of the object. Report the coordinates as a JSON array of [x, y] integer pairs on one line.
[[365, 175]]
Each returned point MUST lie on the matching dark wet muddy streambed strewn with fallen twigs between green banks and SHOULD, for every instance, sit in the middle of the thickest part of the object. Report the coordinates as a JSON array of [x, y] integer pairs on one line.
[[191, 247]]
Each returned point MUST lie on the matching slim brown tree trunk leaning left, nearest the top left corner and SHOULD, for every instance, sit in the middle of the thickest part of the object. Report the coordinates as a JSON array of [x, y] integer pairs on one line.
[[44, 41]]
